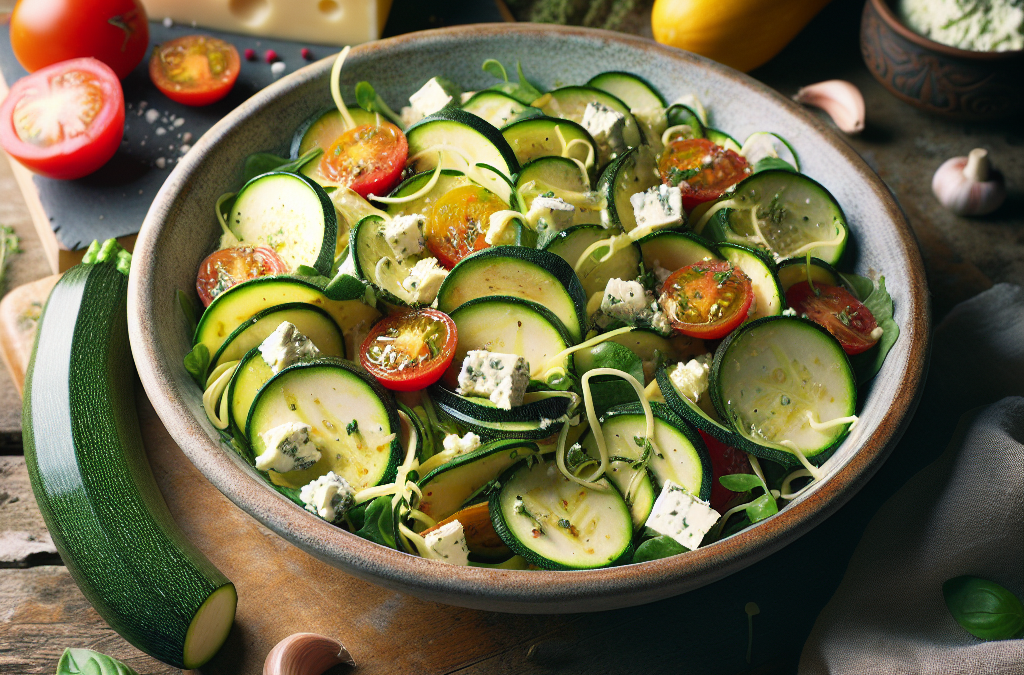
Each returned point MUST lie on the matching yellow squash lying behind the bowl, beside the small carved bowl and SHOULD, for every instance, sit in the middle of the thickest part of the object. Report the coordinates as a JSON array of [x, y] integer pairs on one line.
[[743, 34]]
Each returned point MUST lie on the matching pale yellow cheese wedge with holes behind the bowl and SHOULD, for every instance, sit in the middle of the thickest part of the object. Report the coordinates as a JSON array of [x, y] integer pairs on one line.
[[315, 22]]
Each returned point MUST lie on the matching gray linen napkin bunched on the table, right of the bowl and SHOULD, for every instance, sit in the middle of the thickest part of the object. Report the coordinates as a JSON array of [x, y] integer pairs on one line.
[[964, 515]]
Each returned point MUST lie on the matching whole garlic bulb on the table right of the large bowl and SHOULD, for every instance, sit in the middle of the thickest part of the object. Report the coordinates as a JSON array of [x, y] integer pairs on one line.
[[969, 186]]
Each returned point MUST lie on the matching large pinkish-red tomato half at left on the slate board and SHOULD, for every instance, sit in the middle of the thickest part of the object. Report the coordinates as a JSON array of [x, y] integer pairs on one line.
[[66, 120]]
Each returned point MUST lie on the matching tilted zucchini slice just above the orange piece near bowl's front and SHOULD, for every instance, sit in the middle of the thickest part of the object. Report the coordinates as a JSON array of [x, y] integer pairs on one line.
[[449, 488]]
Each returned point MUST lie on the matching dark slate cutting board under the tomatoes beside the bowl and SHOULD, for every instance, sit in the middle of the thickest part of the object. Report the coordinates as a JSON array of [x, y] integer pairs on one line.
[[113, 202]]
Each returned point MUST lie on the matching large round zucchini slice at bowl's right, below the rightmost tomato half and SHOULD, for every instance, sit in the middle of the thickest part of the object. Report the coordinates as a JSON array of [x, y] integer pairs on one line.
[[784, 381]]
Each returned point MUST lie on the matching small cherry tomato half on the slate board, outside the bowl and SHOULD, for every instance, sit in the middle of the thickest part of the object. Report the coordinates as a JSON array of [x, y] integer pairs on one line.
[[195, 70]]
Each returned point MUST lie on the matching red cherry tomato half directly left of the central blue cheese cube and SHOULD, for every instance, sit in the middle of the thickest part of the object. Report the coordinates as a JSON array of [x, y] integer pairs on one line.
[[410, 351]]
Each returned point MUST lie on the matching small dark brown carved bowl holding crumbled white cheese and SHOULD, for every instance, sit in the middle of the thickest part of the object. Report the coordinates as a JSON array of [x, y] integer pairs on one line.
[[975, 87]]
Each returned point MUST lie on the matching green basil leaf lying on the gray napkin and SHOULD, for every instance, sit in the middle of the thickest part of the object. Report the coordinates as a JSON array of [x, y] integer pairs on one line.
[[985, 609]]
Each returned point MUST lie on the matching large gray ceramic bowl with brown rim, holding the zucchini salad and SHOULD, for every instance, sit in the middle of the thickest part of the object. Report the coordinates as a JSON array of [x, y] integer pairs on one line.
[[181, 230]]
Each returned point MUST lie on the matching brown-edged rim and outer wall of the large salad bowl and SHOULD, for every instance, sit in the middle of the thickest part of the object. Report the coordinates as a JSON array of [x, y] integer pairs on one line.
[[548, 593]]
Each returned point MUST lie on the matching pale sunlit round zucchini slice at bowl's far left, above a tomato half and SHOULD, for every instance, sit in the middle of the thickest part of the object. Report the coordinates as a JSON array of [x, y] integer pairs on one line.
[[291, 215]]
